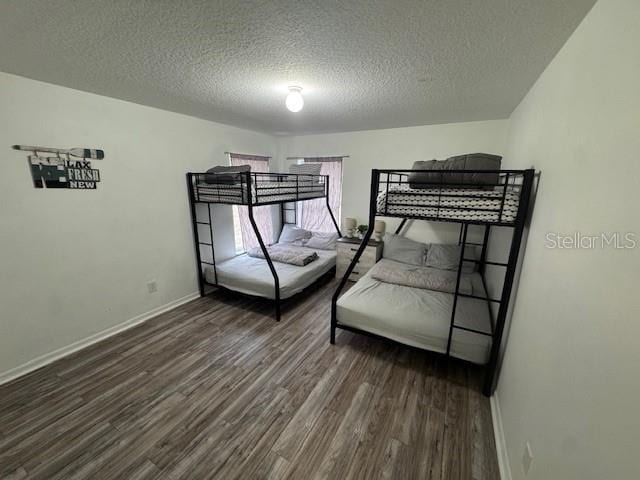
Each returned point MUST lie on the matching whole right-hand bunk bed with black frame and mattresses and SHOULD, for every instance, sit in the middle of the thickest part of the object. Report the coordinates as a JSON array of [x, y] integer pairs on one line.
[[457, 322]]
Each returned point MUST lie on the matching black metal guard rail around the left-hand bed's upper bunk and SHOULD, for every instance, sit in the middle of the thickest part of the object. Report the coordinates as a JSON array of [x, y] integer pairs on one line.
[[257, 187]]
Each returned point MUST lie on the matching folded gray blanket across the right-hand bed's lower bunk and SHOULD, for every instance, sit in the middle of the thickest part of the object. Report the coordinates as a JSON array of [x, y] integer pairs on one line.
[[421, 277]]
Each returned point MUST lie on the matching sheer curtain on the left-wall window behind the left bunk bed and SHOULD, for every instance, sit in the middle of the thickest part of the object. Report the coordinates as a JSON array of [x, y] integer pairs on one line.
[[262, 215]]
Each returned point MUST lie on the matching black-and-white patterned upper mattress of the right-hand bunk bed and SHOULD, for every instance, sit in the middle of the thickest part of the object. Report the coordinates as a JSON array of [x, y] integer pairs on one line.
[[450, 203]]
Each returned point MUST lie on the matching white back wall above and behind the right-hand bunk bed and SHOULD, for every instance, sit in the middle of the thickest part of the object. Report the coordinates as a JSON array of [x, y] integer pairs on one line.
[[397, 148]]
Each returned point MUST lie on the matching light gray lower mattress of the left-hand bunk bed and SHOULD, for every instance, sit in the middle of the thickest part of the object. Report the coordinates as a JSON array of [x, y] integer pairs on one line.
[[252, 276]]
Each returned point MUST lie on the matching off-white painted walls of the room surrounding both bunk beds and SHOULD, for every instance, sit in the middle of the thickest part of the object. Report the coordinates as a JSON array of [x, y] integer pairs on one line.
[[74, 263]]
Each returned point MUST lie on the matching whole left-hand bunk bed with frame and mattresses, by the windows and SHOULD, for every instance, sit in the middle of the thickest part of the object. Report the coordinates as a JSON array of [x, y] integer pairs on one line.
[[261, 277]]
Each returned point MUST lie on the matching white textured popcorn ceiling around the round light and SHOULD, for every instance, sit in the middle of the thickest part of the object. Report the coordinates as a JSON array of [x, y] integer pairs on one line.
[[363, 64]]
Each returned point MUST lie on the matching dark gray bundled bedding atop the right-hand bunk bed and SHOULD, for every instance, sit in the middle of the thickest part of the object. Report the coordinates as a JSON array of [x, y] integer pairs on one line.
[[471, 161]]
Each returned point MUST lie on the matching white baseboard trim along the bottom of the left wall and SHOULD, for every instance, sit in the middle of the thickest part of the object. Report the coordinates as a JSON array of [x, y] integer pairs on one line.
[[50, 357]]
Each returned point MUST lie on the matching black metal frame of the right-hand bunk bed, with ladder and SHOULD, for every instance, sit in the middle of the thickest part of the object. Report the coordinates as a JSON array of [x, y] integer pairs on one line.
[[510, 181]]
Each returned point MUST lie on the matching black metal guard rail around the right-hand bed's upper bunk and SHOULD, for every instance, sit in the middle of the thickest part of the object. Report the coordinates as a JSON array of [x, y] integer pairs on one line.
[[449, 196]]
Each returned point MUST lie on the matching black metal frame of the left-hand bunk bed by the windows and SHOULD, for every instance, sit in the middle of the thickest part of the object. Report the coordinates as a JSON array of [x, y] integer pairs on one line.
[[241, 192]]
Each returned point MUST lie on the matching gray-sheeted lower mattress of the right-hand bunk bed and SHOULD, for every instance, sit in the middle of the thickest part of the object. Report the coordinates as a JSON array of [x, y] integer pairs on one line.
[[418, 317]]
